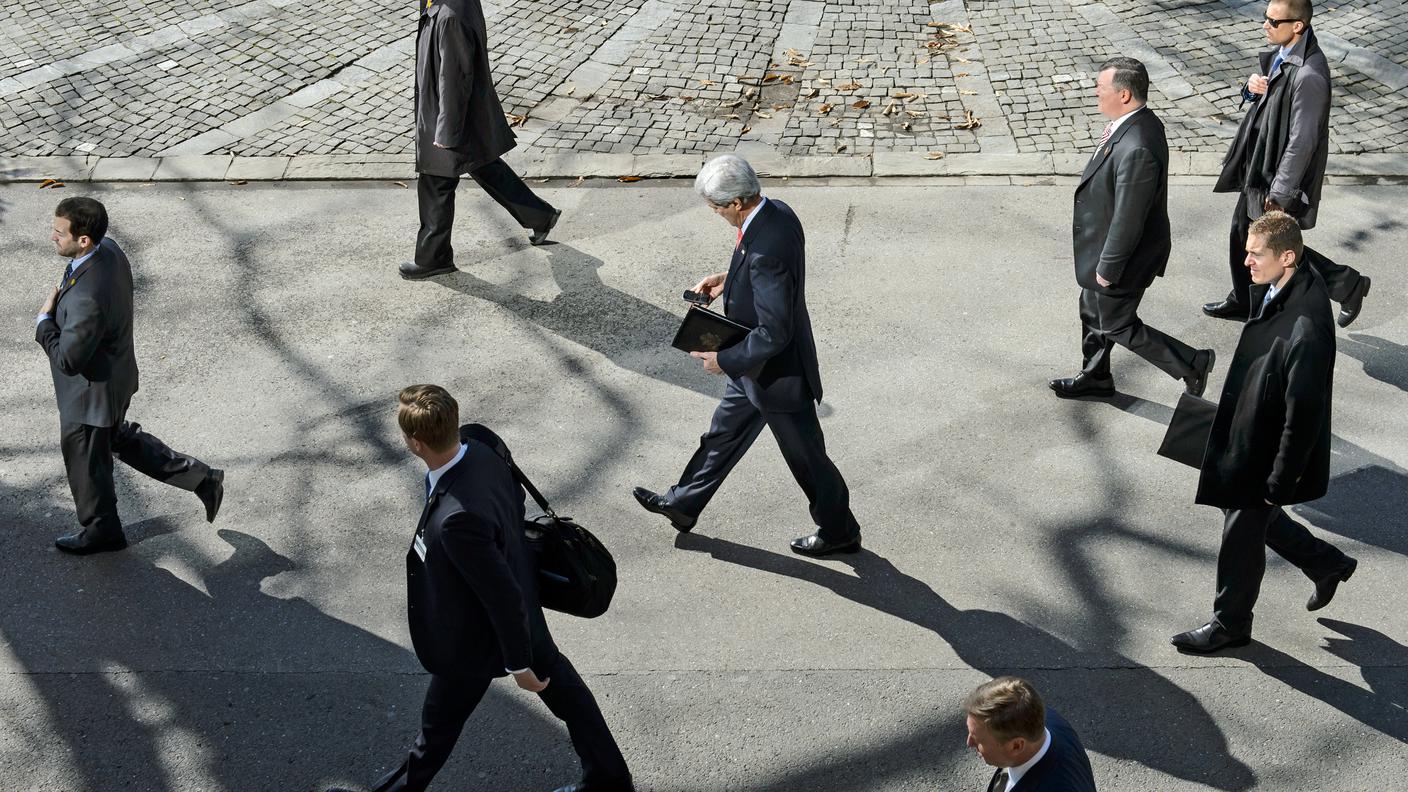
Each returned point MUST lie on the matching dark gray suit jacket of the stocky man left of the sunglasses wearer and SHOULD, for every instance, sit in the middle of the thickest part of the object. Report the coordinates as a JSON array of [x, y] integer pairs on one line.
[[1121, 221]]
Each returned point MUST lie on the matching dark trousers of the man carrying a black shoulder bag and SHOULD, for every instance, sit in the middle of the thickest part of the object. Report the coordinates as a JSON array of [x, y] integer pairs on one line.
[[450, 701]]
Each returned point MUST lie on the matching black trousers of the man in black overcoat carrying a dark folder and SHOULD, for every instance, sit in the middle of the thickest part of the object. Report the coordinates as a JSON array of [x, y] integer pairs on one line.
[[1247, 533]]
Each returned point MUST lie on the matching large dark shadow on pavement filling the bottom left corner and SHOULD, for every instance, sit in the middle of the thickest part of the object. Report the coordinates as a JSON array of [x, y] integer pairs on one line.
[[158, 669]]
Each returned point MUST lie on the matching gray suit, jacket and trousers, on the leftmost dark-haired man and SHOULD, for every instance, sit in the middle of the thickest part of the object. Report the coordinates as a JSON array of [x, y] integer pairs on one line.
[[89, 345]]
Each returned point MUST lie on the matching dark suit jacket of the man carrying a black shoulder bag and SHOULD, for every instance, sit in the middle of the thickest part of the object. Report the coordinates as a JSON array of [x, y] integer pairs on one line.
[[474, 602]]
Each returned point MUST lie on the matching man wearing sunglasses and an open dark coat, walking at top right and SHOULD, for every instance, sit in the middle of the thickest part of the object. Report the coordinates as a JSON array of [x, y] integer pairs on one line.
[[1278, 159]]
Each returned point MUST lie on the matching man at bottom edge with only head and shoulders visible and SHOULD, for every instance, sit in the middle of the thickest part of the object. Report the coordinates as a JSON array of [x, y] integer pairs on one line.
[[1031, 746]]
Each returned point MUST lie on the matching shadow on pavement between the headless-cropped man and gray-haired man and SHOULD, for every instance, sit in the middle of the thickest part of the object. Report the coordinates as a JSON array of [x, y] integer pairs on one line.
[[627, 330]]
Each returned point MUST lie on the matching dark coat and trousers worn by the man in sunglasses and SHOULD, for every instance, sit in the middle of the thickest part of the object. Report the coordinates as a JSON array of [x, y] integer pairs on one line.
[[1279, 153]]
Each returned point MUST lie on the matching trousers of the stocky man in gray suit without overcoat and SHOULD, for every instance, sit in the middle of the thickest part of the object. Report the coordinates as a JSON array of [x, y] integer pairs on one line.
[[1114, 319]]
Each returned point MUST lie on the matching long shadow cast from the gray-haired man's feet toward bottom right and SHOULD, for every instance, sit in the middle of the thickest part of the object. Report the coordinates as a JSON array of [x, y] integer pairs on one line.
[[996, 643]]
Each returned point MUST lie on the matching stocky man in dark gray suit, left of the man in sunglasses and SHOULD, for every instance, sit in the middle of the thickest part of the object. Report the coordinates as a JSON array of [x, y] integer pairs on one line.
[[1121, 240]]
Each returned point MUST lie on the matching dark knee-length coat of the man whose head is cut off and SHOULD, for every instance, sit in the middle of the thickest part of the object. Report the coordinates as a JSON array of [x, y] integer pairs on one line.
[[455, 99]]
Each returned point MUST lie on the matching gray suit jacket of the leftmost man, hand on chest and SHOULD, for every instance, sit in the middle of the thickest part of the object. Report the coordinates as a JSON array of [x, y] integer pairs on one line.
[[89, 340]]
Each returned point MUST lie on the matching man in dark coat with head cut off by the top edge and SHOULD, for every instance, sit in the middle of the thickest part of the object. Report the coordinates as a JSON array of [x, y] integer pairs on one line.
[[461, 129]]
